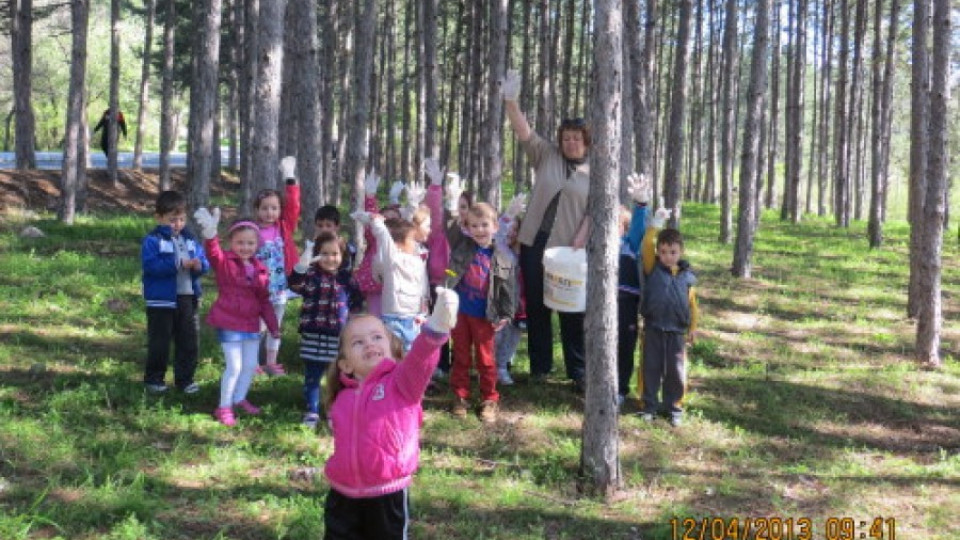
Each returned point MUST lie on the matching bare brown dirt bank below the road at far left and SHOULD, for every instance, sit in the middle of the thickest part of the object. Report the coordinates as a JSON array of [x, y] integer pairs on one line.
[[135, 191]]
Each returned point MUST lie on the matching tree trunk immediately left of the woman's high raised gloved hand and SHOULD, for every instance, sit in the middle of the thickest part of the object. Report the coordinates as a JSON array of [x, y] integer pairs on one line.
[[490, 183]]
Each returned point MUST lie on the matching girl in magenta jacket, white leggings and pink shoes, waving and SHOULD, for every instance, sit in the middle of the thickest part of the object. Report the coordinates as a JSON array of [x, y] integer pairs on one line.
[[242, 301]]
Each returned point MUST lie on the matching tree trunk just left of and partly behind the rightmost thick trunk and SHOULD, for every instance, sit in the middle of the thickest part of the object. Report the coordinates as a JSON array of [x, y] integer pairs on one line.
[[919, 122]]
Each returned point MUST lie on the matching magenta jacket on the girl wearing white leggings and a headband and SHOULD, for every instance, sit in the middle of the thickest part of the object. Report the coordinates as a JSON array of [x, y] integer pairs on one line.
[[242, 301]]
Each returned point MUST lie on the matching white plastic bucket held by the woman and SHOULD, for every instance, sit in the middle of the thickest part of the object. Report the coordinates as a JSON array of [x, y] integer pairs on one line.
[[565, 279]]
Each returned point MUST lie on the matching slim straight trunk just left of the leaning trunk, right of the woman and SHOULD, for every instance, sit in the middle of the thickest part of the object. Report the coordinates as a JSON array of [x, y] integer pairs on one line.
[[727, 126]]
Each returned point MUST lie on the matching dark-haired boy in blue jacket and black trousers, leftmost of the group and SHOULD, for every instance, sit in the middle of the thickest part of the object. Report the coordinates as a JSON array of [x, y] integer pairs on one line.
[[173, 261]]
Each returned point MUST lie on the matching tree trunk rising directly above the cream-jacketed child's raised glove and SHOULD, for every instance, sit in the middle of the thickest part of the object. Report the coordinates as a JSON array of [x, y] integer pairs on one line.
[[355, 166]]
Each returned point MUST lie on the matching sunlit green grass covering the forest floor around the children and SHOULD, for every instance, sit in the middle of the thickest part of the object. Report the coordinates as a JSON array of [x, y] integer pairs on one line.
[[804, 402]]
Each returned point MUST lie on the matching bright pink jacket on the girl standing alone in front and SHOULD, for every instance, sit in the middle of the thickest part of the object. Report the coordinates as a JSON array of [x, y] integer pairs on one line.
[[376, 423]]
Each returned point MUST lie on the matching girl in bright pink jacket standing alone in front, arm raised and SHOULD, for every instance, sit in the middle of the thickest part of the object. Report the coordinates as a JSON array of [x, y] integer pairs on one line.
[[375, 407]]
